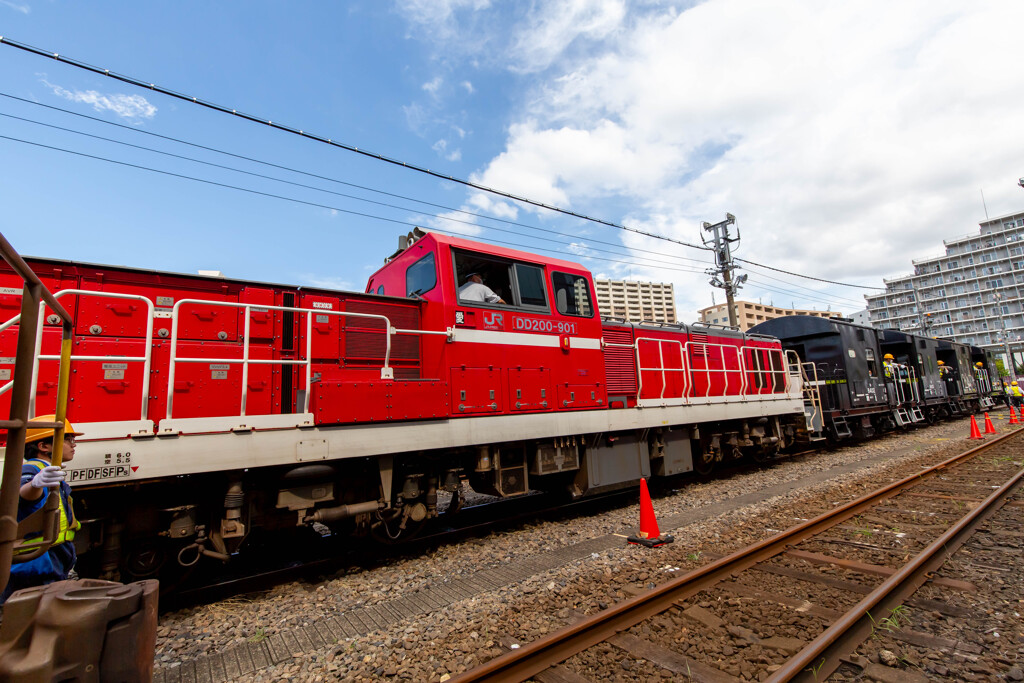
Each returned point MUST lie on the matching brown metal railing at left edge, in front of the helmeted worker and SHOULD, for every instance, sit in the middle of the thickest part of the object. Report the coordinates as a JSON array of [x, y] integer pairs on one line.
[[47, 521]]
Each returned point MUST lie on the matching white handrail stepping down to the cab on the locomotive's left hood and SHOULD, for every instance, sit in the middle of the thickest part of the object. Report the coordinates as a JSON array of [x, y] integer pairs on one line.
[[387, 371]]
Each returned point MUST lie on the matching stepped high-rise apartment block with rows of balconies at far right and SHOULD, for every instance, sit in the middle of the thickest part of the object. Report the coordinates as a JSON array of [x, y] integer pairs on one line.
[[972, 294]]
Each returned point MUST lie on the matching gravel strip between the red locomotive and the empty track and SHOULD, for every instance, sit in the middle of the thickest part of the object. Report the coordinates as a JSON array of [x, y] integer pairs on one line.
[[444, 612]]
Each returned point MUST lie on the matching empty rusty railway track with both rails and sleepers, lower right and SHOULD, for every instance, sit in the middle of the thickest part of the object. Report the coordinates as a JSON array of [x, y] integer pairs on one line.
[[798, 606]]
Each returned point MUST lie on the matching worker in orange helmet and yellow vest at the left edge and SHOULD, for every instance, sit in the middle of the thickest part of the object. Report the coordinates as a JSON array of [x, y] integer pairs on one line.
[[39, 476]]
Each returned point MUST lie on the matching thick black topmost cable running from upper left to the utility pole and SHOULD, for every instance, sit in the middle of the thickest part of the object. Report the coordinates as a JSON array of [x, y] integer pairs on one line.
[[326, 141]]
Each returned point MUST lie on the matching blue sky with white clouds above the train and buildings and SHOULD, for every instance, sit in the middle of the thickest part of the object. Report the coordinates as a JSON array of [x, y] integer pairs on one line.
[[847, 139]]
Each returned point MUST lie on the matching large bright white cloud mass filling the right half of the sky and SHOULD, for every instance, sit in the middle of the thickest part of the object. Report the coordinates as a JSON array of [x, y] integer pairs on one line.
[[847, 138]]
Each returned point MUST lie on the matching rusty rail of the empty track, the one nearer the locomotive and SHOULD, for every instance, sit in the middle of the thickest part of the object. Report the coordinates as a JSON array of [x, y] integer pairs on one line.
[[527, 662]]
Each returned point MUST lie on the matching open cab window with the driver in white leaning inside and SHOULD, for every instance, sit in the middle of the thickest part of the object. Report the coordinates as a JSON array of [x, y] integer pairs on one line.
[[485, 281]]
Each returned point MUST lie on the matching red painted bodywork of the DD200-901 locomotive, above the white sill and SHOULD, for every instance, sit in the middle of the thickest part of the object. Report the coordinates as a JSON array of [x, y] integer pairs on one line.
[[503, 360]]
